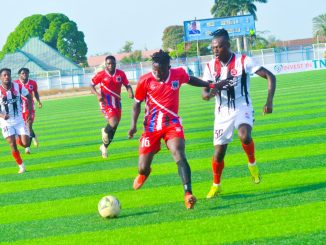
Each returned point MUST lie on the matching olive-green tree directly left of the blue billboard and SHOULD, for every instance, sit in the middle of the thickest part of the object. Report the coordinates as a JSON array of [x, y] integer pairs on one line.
[[172, 35]]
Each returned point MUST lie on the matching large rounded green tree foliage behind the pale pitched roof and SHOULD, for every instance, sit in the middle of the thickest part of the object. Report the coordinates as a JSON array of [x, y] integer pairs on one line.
[[54, 29]]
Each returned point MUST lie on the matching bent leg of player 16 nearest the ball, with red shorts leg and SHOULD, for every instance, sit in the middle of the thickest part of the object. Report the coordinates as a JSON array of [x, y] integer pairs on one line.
[[149, 145]]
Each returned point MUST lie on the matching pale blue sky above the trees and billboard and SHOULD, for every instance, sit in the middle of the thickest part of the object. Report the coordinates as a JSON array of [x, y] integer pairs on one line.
[[108, 24]]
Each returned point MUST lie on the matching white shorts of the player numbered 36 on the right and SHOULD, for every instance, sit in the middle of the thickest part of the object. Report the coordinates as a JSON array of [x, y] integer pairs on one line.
[[226, 120]]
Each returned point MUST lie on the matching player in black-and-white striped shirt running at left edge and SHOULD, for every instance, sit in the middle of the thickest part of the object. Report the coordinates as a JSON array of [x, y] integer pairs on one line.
[[11, 118]]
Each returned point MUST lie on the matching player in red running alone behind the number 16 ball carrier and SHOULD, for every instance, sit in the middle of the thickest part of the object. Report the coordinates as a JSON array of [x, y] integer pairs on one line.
[[110, 80]]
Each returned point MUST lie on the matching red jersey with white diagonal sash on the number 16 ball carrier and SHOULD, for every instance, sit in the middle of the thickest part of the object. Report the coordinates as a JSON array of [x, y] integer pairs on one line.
[[162, 98]]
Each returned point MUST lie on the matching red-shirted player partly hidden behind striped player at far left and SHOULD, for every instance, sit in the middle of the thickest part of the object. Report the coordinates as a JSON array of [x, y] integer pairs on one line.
[[31, 86]]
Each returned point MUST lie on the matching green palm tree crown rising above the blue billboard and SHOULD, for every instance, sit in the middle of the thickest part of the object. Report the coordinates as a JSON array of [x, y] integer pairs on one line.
[[225, 8]]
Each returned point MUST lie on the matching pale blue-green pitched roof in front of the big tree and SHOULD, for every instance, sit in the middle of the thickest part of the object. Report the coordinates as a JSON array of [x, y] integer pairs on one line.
[[37, 56]]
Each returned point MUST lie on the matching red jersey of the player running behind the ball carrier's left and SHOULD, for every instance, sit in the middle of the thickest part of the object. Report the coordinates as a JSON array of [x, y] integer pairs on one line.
[[110, 84]]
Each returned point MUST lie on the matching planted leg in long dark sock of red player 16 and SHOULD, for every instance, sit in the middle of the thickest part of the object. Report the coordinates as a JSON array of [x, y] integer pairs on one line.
[[177, 148]]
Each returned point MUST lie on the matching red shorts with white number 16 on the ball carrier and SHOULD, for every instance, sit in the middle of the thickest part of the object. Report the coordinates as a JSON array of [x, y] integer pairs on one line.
[[151, 141]]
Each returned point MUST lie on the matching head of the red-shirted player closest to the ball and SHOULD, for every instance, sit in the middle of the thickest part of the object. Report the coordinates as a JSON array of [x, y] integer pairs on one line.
[[161, 65]]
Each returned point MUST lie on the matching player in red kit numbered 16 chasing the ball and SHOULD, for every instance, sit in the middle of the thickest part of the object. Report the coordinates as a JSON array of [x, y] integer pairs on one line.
[[160, 91]]
